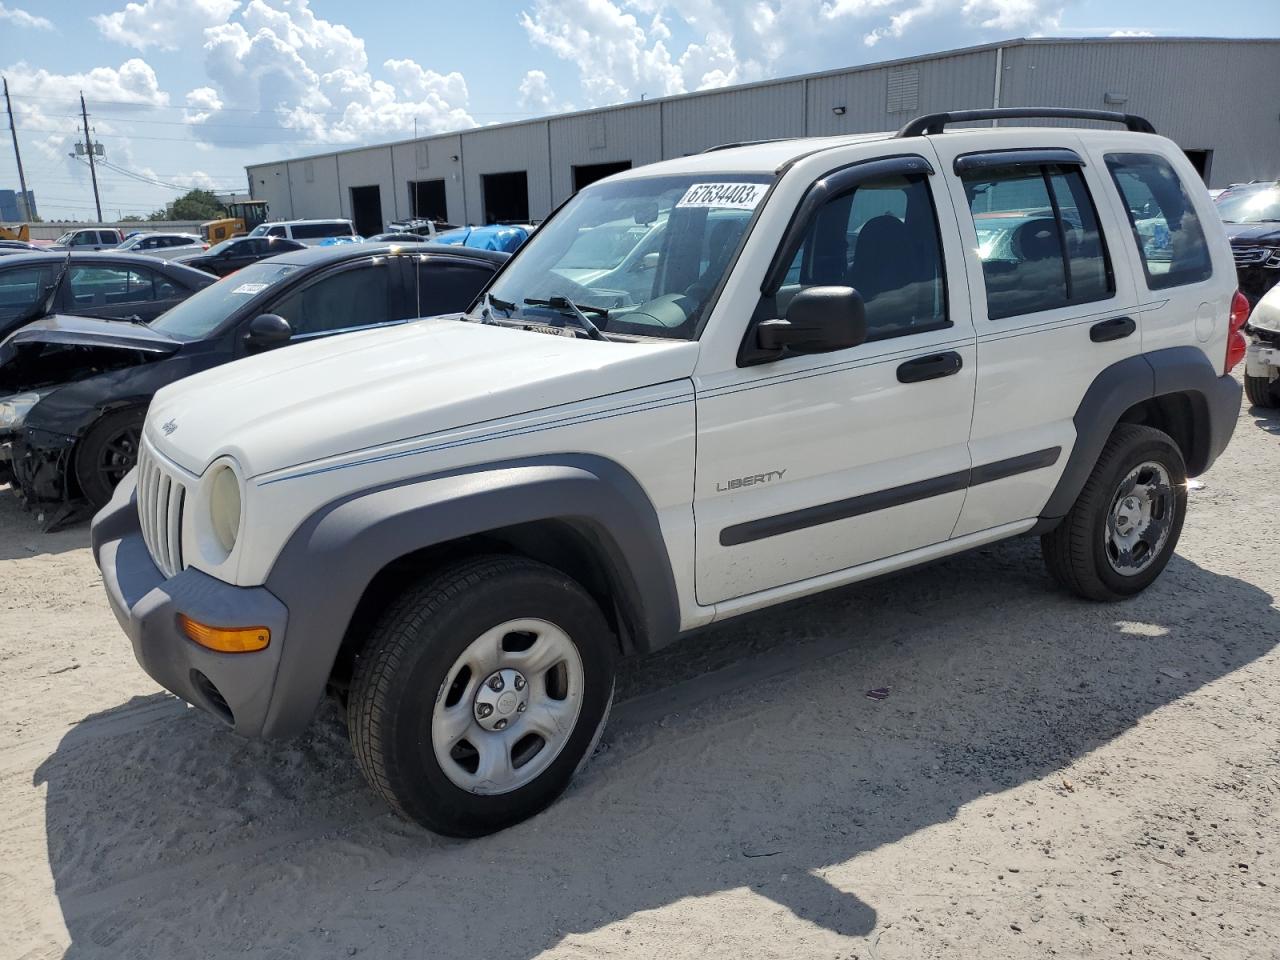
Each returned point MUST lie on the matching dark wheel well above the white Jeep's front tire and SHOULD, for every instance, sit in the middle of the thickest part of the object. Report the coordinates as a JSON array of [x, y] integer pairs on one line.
[[573, 548]]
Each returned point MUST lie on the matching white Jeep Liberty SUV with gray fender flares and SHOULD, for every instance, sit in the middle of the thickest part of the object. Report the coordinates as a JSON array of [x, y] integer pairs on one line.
[[702, 388]]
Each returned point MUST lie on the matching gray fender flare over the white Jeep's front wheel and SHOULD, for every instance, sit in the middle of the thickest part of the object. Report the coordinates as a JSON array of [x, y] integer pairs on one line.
[[330, 561]]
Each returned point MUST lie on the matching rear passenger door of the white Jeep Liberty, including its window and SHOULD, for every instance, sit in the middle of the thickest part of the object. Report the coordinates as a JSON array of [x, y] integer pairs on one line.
[[1052, 310]]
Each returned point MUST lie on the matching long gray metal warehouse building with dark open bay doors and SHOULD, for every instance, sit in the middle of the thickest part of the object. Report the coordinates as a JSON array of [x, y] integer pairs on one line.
[[1218, 99]]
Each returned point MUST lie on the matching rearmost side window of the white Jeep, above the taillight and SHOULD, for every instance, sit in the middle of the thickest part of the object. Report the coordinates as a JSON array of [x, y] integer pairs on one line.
[[1164, 222]]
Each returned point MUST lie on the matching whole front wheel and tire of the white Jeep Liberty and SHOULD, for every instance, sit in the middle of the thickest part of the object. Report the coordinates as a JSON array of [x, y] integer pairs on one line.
[[479, 694]]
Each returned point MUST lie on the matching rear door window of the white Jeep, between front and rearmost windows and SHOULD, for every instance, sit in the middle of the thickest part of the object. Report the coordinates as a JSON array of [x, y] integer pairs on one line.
[[1039, 239]]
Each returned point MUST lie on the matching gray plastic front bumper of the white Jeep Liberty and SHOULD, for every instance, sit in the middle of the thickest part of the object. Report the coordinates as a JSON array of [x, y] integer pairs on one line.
[[235, 688]]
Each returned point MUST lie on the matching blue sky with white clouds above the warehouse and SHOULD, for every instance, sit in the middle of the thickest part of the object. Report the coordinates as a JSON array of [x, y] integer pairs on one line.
[[185, 93]]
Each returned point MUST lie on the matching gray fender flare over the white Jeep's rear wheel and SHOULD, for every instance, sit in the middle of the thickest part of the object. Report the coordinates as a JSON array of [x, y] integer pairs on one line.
[[1215, 405]]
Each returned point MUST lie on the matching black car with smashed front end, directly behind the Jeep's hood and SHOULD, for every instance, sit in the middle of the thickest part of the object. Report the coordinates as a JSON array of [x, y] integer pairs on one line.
[[75, 391]]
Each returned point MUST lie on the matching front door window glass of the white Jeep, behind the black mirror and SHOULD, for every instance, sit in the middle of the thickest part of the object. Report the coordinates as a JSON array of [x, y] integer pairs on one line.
[[883, 240]]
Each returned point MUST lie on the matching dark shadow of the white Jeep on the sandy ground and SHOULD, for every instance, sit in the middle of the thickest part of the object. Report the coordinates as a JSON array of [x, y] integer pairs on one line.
[[769, 766]]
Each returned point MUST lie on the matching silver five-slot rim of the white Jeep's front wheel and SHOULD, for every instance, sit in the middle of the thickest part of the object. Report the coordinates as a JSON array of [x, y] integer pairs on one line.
[[508, 707]]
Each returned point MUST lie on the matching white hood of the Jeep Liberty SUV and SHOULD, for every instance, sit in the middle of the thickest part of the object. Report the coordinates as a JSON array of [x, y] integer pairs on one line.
[[359, 391]]
